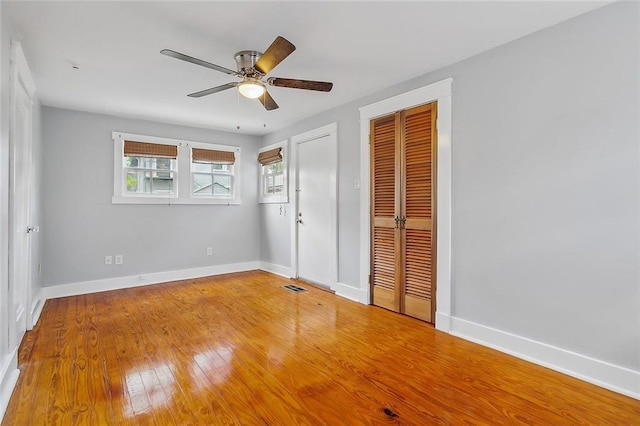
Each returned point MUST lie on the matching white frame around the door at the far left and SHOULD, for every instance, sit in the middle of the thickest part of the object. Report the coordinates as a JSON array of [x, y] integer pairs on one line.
[[20, 76]]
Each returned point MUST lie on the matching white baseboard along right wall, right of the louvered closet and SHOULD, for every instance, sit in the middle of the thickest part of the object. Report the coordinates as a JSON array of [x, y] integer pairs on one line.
[[610, 376]]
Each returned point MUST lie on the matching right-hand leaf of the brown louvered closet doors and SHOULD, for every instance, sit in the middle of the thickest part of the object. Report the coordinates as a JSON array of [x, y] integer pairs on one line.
[[418, 207]]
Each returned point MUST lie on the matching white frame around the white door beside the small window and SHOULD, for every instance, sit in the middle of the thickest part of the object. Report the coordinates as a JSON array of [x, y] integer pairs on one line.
[[330, 130]]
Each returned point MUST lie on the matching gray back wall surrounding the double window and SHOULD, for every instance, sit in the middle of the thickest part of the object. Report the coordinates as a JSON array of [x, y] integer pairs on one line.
[[81, 225]]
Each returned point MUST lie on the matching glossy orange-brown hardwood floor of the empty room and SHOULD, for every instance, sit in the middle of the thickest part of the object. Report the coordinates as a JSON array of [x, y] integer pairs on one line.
[[239, 349]]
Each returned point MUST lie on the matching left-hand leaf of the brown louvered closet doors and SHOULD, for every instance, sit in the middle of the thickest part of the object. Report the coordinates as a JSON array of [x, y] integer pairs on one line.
[[385, 197]]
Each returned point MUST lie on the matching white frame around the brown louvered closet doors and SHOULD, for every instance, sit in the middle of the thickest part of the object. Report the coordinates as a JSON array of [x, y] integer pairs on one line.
[[441, 92]]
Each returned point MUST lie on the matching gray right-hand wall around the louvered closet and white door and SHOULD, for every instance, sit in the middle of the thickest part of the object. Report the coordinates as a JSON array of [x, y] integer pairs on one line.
[[545, 185]]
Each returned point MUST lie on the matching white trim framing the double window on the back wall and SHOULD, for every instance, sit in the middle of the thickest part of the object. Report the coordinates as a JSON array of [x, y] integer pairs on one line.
[[183, 193]]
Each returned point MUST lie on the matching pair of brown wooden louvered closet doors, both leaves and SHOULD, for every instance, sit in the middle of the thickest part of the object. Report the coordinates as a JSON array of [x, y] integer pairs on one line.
[[402, 211]]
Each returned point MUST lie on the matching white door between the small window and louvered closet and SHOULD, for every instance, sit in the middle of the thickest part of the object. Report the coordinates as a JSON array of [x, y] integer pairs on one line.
[[316, 210]]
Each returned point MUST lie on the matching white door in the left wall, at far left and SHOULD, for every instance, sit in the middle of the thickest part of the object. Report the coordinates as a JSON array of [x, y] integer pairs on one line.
[[20, 200]]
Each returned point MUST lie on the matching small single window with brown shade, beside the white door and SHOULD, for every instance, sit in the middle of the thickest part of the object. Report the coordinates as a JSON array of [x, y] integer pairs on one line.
[[273, 174]]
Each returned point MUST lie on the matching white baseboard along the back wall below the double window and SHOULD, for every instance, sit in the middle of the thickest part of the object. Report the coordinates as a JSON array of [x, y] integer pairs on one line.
[[95, 286]]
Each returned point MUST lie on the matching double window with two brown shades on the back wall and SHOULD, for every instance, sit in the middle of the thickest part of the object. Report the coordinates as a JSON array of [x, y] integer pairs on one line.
[[152, 170]]
